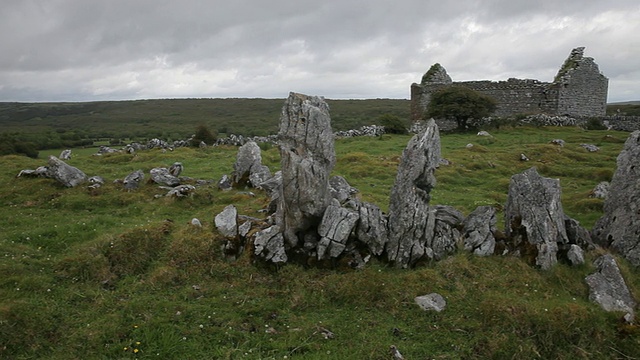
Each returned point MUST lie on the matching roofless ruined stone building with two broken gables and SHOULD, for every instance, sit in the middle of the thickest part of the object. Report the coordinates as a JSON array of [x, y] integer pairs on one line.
[[578, 90]]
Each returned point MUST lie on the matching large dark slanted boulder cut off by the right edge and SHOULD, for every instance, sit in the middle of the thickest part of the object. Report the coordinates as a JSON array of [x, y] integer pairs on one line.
[[619, 228]]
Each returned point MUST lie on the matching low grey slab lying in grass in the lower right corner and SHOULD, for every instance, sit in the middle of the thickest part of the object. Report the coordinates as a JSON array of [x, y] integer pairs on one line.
[[607, 287]]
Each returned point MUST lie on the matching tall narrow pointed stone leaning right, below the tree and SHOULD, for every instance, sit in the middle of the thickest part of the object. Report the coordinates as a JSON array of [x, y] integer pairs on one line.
[[411, 220]]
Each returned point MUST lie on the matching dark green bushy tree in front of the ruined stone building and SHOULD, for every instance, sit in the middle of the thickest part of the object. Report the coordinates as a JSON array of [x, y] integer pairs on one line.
[[461, 104]]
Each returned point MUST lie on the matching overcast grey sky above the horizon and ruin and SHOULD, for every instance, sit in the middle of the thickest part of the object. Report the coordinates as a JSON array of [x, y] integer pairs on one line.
[[90, 50]]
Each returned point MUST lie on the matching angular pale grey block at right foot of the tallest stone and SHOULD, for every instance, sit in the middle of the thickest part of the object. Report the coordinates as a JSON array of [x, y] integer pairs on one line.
[[335, 228]]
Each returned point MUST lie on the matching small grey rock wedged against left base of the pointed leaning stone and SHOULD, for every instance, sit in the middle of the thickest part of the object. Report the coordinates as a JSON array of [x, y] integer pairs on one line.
[[373, 227]]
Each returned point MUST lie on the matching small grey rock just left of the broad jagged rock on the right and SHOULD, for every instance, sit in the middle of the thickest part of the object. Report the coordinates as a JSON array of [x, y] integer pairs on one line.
[[479, 228]]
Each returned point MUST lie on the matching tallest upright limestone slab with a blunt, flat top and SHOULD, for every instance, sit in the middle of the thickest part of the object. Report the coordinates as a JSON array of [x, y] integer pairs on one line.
[[307, 158]]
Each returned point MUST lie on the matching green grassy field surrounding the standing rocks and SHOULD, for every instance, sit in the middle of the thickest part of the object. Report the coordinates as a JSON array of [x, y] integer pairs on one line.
[[109, 274]]
